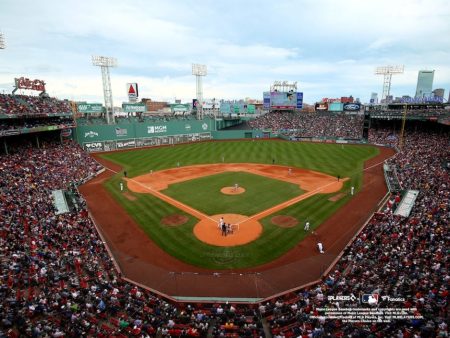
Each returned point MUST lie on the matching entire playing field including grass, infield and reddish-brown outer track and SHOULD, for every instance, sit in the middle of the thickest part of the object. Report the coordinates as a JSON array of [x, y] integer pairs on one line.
[[165, 258]]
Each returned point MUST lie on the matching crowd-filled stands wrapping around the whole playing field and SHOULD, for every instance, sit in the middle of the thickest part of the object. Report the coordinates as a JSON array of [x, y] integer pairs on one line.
[[58, 278]]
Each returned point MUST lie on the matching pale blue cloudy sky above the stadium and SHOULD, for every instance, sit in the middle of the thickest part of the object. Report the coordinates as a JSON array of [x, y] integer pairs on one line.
[[330, 48]]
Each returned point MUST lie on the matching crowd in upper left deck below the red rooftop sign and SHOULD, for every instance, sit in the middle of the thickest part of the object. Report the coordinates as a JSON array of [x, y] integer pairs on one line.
[[32, 105]]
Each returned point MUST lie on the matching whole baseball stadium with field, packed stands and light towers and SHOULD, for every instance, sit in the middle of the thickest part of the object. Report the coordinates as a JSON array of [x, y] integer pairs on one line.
[[223, 218]]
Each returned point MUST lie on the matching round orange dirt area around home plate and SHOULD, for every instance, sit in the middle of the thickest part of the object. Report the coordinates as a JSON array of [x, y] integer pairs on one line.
[[244, 230]]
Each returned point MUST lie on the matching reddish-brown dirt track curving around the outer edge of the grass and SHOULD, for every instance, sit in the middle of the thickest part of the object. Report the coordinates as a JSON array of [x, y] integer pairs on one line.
[[142, 260]]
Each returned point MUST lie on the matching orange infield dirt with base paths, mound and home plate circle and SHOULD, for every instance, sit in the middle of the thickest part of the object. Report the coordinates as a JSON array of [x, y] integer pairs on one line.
[[311, 181]]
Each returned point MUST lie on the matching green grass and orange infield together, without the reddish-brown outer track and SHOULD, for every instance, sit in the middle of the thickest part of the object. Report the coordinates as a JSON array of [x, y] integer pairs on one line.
[[177, 194]]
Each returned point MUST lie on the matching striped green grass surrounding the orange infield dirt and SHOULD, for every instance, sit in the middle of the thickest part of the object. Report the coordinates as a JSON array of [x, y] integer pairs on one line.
[[333, 159]]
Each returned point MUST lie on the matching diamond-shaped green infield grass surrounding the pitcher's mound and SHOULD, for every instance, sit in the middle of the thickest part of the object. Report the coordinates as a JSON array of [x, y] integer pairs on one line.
[[261, 193]]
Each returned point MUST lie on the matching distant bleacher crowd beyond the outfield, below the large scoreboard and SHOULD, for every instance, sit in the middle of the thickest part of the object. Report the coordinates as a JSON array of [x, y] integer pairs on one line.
[[311, 125]]
